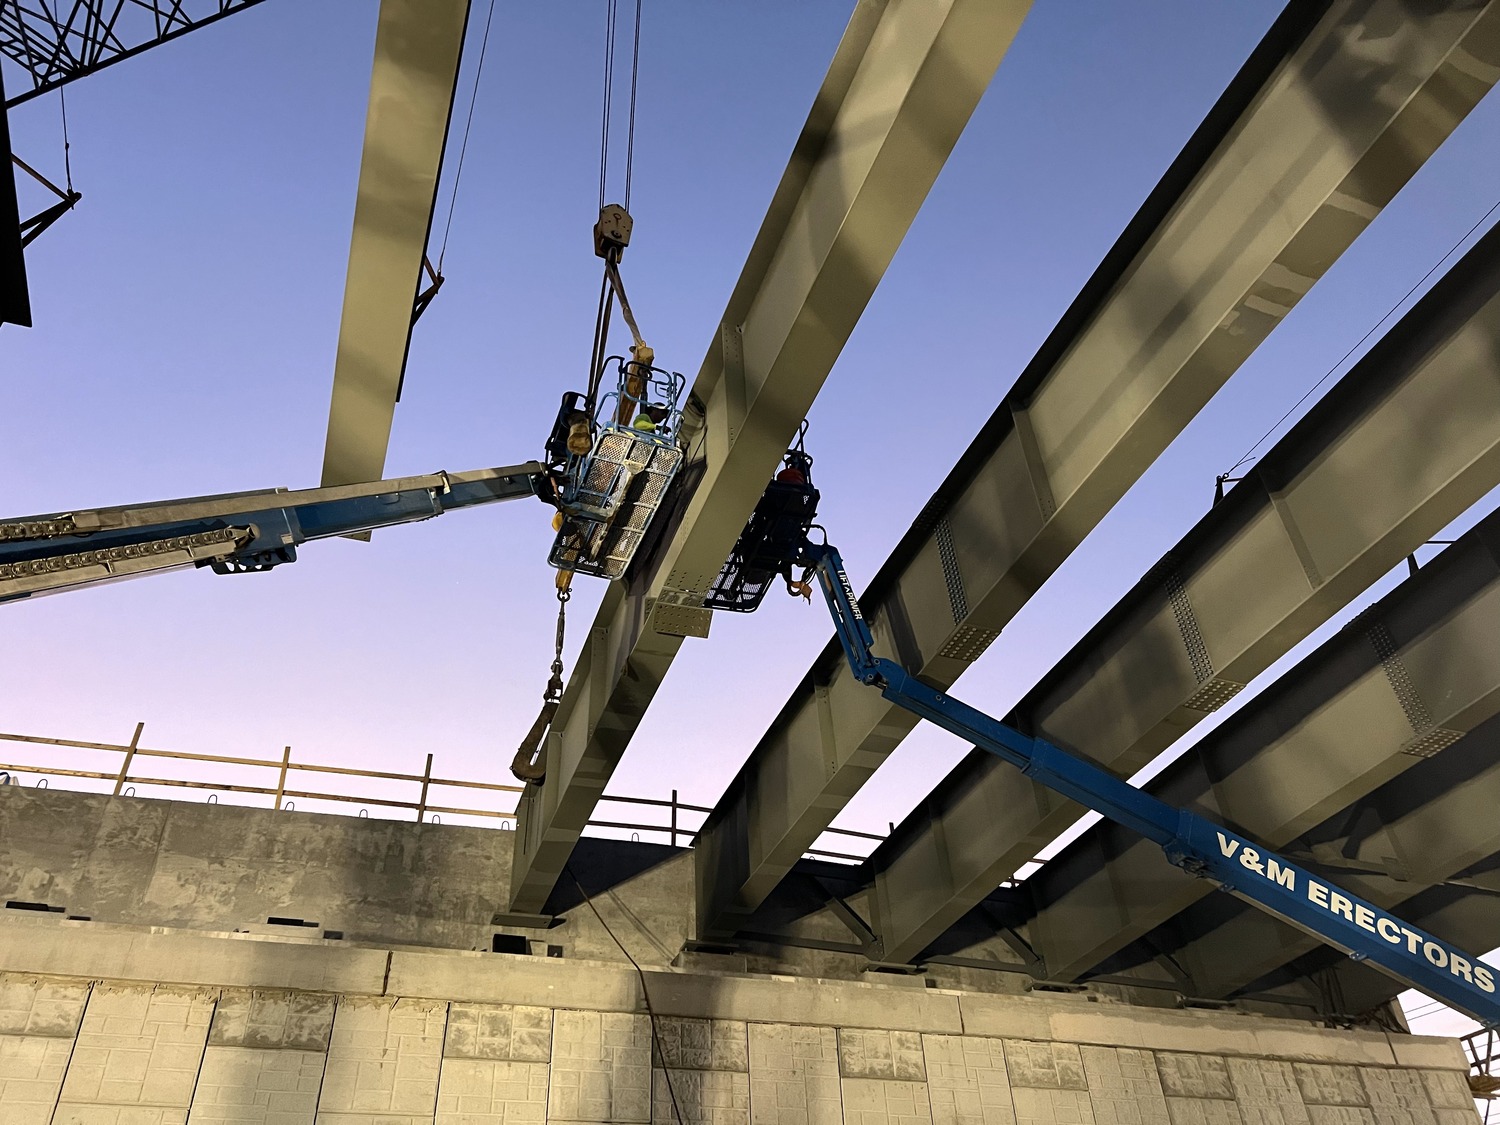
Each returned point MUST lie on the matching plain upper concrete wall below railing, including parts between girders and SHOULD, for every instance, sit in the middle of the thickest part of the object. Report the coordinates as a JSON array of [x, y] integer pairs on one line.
[[223, 869]]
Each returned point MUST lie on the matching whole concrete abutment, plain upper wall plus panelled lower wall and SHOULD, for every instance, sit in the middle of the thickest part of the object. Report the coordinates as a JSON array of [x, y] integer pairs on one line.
[[161, 997]]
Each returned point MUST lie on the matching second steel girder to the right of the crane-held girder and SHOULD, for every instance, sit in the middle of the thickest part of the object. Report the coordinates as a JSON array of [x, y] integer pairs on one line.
[[1339, 502]]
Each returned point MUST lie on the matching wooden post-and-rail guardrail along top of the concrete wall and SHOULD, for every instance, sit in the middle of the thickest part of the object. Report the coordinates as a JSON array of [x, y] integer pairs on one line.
[[284, 797]]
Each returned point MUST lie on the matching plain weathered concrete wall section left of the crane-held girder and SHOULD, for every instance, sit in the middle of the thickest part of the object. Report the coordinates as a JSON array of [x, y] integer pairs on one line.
[[224, 868]]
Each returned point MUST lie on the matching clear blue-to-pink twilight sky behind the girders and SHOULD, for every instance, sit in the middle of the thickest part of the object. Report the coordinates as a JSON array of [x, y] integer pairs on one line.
[[187, 319]]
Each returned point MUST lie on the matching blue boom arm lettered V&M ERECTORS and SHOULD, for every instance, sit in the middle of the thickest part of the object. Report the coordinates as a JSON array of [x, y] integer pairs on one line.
[[1198, 845]]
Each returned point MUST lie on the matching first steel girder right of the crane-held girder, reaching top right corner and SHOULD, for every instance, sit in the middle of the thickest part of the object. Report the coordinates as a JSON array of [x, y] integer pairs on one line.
[[1333, 113]]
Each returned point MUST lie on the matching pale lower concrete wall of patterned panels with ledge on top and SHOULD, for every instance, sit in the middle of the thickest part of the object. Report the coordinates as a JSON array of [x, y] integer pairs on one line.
[[80, 1052]]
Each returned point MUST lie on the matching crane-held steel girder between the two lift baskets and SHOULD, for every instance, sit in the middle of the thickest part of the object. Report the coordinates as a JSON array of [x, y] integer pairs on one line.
[[904, 83]]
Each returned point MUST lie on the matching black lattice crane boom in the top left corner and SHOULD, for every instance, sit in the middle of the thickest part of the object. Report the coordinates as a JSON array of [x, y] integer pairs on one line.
[[58, 41]]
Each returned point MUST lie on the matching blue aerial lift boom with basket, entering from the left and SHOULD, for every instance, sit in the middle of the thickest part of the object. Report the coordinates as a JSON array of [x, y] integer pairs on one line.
[[611, 458]]
